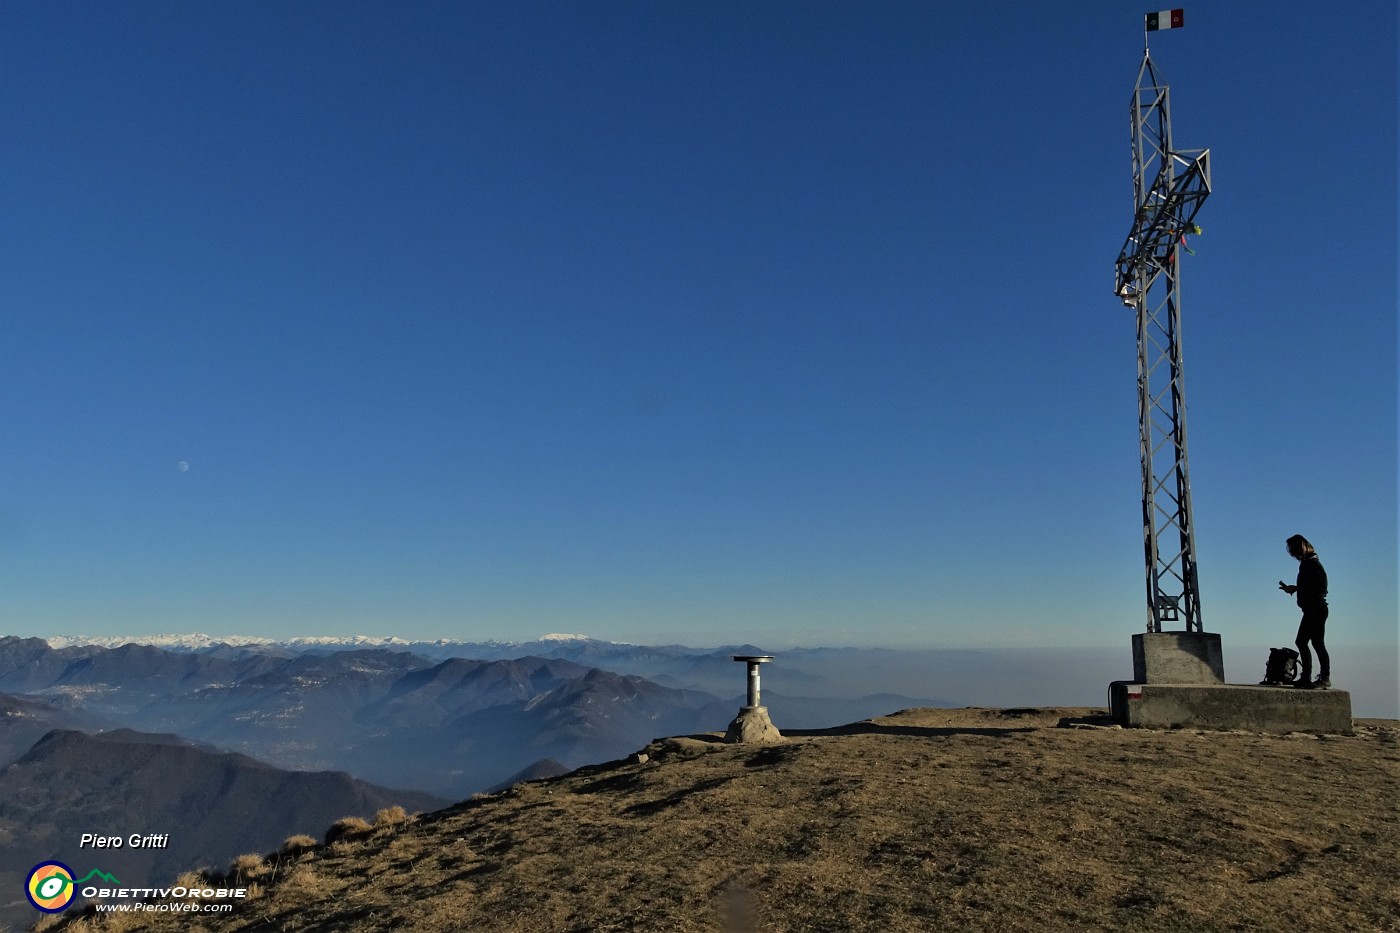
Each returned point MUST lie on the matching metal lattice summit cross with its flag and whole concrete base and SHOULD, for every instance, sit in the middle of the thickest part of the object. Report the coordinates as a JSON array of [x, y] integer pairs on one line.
[[1179, 676]]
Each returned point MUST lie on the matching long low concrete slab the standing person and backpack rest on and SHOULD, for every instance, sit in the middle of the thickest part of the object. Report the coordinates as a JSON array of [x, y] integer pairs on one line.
[[1258, 710]]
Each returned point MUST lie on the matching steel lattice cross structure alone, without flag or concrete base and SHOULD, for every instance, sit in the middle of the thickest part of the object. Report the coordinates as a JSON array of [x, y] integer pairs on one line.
[[1168, 190]]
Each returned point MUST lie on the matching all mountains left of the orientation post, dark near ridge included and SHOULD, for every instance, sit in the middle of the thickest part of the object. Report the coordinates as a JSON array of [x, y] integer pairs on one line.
[[230, 749]]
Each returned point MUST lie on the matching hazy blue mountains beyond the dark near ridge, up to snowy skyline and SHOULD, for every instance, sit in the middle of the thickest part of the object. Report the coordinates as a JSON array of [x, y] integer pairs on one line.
[[393, 717]]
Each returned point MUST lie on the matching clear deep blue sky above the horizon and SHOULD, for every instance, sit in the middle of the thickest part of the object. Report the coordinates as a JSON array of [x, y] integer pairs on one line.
[[785, 323]]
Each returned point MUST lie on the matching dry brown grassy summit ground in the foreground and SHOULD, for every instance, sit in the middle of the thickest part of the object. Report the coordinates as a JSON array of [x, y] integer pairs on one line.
[[926, 820]]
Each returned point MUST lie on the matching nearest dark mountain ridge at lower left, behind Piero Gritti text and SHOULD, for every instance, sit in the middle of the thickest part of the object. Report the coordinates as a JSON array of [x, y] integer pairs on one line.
[[211, 806]]
